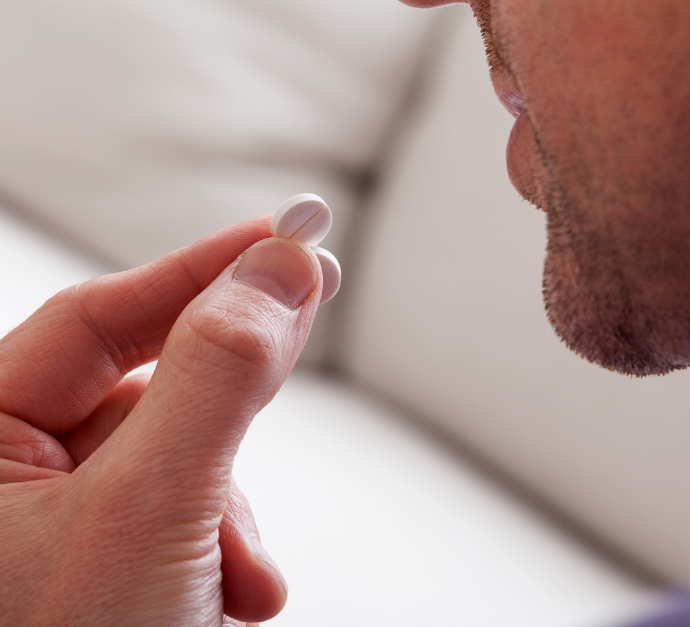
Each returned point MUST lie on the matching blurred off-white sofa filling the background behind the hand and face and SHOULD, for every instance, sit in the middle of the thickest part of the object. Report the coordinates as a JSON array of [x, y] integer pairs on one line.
[[439, 457]]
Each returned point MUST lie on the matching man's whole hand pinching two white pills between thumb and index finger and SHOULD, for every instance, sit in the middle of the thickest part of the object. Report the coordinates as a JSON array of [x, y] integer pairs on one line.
[[118, 505]]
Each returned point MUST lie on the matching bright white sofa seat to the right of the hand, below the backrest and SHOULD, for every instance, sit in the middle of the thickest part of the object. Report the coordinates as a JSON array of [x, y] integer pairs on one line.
[[374, 525]]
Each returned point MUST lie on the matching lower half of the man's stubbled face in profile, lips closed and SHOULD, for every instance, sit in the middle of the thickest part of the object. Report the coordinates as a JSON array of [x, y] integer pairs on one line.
[[601, 93]]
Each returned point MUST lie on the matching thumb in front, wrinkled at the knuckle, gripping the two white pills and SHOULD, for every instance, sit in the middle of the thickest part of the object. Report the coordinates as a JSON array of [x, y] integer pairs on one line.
[[225, 358]]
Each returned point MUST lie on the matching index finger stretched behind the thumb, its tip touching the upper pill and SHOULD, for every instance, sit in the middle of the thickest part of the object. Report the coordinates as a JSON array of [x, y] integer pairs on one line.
[[58, 366]]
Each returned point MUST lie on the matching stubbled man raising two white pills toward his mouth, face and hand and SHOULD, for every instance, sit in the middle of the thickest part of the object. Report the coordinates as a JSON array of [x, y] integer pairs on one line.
[[600, 90]]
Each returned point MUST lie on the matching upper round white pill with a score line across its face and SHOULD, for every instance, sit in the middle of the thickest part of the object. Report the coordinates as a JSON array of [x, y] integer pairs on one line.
[[305, 217]]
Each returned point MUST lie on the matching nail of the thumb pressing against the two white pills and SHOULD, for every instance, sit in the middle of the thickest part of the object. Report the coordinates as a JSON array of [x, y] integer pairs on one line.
[[280, 269]]
